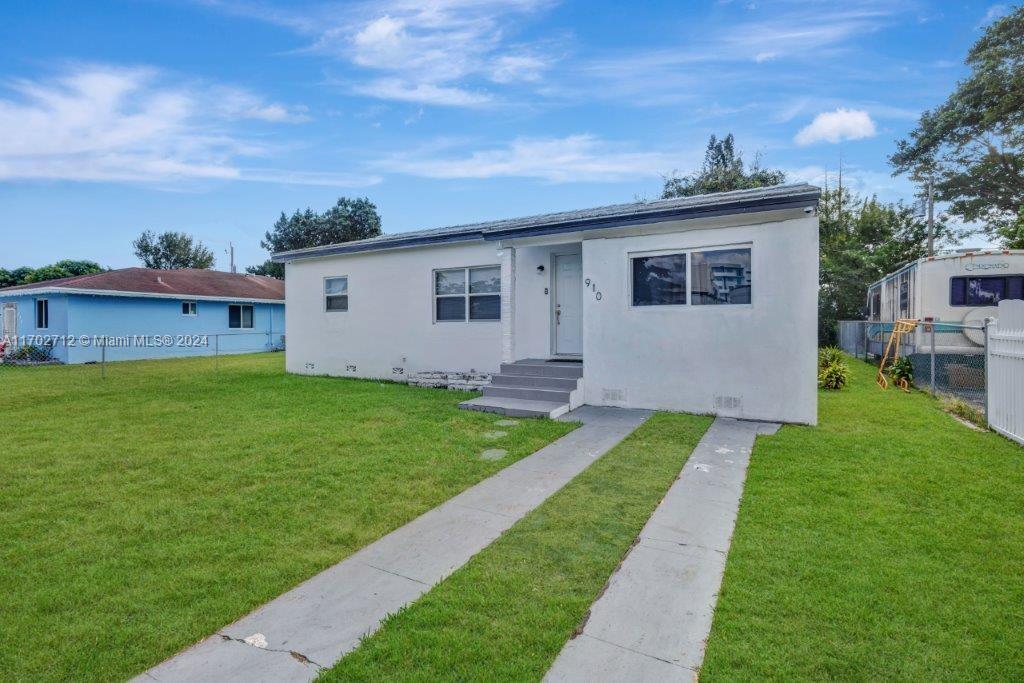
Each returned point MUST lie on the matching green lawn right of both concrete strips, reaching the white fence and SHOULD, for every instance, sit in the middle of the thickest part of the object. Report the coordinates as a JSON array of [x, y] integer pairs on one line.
[[887, 543]]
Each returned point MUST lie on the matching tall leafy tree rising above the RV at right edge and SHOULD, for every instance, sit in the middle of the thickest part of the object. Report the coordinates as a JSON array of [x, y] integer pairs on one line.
[[974, 143]]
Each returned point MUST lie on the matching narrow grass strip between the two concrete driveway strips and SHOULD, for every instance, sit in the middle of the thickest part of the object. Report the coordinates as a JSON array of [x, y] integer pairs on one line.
[[507, 614]]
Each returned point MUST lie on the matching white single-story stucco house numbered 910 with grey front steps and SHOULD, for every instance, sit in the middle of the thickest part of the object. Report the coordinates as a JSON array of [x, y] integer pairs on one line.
[[704, 305]]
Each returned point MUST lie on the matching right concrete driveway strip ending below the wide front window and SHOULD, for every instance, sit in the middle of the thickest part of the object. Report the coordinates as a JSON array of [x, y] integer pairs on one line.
[[653, 621]]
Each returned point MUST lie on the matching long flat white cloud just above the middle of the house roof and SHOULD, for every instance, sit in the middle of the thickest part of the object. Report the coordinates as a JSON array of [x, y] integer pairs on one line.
[[575, 158]]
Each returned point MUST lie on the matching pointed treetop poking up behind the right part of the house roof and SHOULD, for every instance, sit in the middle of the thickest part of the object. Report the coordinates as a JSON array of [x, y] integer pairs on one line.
[[723, 170]]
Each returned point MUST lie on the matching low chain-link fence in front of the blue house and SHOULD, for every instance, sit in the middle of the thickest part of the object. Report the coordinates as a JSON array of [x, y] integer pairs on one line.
[[44, 351]]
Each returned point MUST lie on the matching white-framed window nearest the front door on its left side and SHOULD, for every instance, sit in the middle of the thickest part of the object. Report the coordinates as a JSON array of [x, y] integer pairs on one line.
[[468, 294]]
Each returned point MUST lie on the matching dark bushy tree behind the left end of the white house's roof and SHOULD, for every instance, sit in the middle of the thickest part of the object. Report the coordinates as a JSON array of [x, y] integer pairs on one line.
[[346, 222]]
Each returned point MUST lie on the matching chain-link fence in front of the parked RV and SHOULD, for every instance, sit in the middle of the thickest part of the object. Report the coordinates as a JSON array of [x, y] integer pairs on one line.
[[949, 359]]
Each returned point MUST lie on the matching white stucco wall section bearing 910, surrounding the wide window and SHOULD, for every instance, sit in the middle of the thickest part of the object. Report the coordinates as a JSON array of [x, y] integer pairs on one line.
[[756, 361]]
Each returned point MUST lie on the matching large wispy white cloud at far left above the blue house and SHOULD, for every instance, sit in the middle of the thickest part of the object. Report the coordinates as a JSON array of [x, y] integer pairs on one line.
[[102, 123]]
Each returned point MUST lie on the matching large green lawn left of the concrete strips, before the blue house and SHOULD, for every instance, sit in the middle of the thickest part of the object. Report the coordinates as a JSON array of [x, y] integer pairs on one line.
[[143, 513]]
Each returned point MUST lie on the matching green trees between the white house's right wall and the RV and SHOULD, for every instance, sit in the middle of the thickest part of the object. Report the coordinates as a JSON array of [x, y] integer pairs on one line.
[[862, 240]]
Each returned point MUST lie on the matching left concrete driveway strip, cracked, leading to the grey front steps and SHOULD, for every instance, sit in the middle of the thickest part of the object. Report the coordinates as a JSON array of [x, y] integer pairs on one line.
[[321, 621]]
